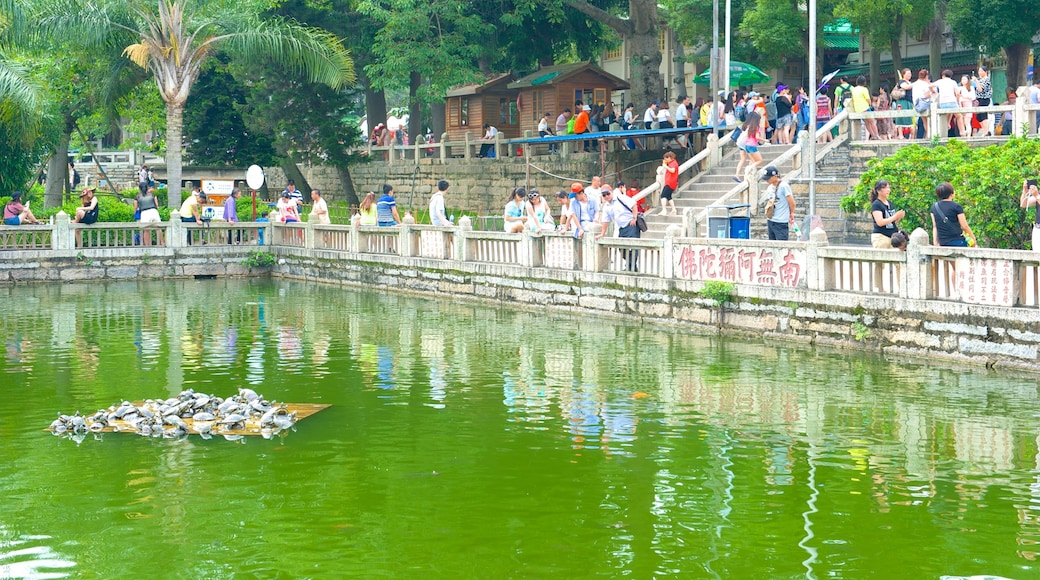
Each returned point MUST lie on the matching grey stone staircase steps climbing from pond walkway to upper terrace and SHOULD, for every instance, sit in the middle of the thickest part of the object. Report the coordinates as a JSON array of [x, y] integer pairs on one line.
[[704, 190]]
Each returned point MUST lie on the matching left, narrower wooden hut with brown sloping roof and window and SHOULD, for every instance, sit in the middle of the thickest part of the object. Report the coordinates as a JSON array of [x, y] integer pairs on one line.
[[471, 107]]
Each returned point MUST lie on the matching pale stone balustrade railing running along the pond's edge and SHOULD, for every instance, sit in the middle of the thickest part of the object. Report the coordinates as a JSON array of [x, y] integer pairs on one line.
[[970, 276]]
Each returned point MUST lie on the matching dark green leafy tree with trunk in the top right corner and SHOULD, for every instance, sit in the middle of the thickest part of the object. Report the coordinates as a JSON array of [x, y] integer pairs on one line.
[[996, 25]]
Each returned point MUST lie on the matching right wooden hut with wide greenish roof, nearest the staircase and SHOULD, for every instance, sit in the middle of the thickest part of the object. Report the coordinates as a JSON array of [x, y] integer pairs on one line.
[[553, 89]]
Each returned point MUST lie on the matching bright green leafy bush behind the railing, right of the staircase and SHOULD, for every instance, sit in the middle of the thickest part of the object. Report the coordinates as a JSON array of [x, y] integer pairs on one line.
[[987, 181]]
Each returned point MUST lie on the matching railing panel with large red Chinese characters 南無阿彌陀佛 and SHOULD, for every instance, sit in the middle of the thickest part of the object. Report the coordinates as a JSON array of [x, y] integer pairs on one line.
[[766, 267]]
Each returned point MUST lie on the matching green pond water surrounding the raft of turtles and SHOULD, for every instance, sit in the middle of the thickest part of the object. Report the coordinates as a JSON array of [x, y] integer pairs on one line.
[[472, 441]]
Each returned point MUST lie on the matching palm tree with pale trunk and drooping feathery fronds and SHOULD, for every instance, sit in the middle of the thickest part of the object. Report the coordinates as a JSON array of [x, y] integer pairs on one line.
[[173, 39]]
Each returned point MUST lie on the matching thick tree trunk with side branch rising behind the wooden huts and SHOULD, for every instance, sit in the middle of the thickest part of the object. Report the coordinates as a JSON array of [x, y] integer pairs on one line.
[[641, 31]]
